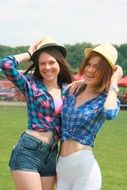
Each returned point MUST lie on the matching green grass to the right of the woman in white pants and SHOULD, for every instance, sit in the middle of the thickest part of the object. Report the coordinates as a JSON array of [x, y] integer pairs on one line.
[[111, 153]]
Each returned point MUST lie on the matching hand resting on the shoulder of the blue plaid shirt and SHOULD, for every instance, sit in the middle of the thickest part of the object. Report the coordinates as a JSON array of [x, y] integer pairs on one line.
[[75, 86]]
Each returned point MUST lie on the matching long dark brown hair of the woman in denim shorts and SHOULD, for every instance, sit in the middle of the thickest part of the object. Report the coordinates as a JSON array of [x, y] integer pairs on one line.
[[65, 74]]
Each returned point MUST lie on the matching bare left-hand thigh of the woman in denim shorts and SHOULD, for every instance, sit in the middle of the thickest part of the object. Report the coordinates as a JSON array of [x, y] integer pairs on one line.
[[25, 180]]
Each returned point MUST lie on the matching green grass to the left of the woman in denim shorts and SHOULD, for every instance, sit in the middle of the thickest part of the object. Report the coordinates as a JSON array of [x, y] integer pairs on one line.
[[12, 124]]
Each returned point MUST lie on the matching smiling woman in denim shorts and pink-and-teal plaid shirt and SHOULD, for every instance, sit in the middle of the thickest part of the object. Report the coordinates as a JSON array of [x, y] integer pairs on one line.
[[33, 159]]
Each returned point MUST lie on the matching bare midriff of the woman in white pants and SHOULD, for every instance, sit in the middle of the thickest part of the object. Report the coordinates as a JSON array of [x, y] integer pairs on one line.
[[71, 146]]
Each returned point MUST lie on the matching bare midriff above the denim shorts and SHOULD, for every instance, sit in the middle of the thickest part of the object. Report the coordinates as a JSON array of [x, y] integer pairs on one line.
[[43, 136]]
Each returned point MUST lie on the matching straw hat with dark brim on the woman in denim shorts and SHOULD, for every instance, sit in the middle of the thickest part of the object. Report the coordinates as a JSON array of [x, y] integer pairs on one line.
[[48, 42]]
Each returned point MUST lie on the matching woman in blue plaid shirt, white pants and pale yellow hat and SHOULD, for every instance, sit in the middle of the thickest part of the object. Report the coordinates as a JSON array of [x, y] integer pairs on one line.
[[83, 115]]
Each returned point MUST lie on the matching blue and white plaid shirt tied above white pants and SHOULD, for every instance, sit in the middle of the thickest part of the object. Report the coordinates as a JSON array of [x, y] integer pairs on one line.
[[83, 123]]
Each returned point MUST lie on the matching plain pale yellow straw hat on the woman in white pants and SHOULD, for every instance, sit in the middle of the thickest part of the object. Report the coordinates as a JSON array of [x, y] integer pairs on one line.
[[107, 50]]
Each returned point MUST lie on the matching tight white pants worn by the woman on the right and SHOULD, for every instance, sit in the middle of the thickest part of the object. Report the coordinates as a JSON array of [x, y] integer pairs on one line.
[[78, 171]]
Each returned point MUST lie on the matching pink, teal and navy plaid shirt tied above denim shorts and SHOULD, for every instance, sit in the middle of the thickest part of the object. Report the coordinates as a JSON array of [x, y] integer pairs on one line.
[[40, 104]]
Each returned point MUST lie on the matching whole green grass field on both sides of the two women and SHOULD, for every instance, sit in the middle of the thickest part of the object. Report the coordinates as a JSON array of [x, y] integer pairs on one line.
[[110, 147]]
